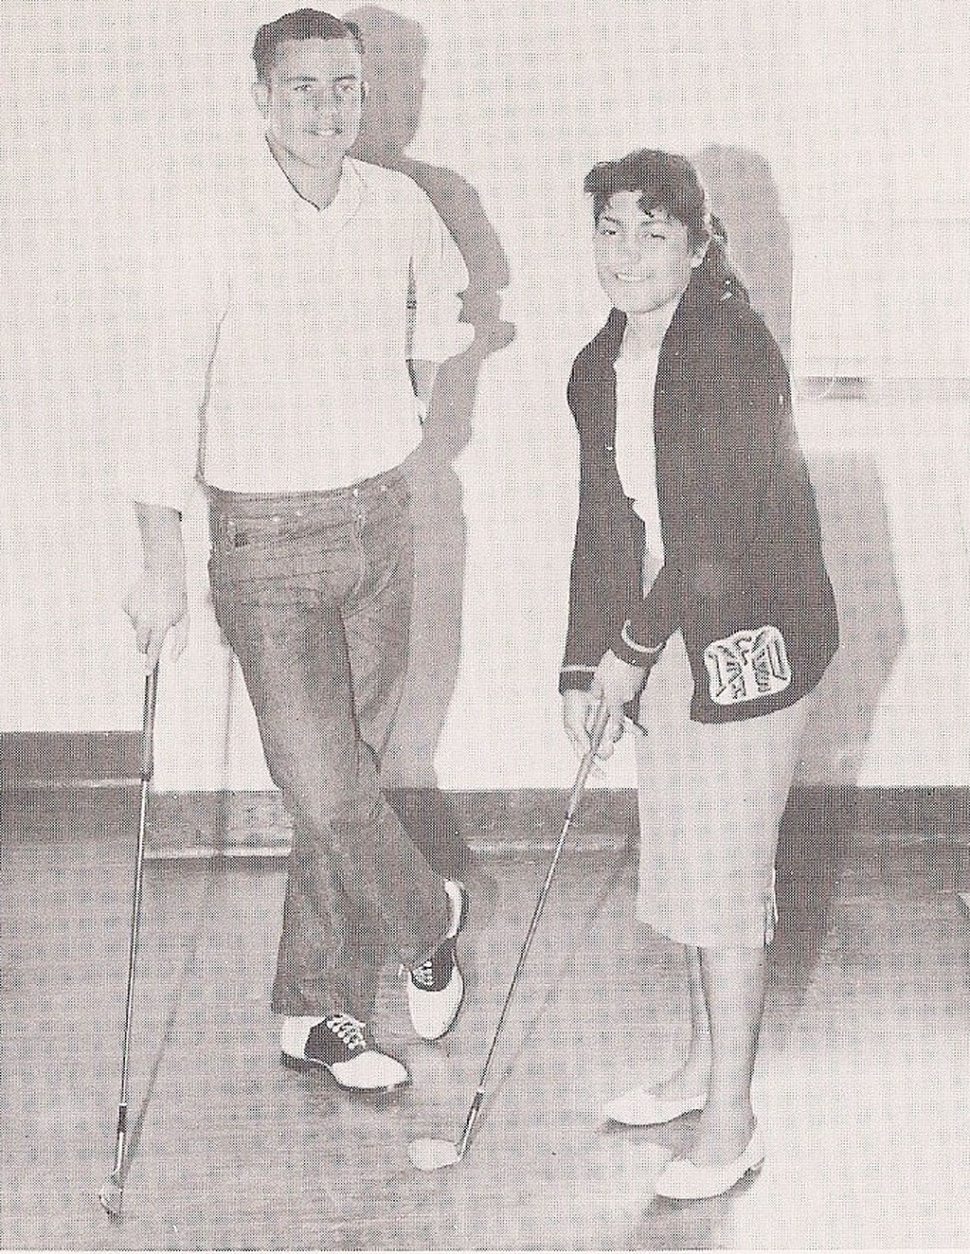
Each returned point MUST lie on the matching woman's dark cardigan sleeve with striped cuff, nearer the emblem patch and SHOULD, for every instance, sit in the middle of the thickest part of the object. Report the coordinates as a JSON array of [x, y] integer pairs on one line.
[[741, 412]]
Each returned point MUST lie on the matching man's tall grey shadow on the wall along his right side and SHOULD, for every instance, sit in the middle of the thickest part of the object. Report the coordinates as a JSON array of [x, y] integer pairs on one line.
[[395, 52]]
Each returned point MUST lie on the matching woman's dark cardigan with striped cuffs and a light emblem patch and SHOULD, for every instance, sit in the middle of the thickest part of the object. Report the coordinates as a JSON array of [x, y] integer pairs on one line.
[[738, 512]]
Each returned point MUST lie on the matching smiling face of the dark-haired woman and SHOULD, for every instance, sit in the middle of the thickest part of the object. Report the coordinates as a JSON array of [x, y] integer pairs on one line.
[[644, 260]]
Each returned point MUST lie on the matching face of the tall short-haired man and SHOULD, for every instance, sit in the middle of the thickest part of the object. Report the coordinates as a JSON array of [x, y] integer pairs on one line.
[[313, 102]]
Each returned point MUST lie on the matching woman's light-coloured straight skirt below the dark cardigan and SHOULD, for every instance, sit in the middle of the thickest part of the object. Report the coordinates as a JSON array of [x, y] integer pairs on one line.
[[711, 798]]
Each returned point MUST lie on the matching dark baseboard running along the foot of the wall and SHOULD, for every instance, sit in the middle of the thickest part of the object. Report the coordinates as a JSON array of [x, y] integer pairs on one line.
[[195, 825]]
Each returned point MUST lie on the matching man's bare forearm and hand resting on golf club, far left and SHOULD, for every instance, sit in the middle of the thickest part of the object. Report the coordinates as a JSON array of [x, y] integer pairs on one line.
[[157, 604]]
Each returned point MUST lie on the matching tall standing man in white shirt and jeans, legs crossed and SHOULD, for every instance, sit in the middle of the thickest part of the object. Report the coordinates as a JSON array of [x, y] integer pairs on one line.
[[304, 329]]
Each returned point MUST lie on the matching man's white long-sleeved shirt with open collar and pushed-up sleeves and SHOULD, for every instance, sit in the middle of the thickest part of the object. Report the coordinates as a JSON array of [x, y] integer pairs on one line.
[[284, 334]]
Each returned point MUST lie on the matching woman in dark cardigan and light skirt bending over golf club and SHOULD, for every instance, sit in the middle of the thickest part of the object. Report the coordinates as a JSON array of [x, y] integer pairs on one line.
[[699, 564]]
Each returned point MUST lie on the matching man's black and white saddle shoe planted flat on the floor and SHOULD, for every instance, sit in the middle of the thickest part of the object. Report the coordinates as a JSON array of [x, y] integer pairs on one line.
[[343, 1046]]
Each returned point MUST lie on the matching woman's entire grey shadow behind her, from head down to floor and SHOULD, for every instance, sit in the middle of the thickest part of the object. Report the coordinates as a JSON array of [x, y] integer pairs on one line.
[[815, 835]]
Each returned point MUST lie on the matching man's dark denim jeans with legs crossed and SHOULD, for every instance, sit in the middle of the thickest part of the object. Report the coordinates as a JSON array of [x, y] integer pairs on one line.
[[314, 595]]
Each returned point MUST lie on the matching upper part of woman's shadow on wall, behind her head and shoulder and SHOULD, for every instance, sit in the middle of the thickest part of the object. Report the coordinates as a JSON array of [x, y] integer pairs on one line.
[[744, 195]]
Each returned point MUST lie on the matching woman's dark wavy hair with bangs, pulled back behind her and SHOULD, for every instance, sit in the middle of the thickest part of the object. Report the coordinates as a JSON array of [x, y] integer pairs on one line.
[[669, 182]]
